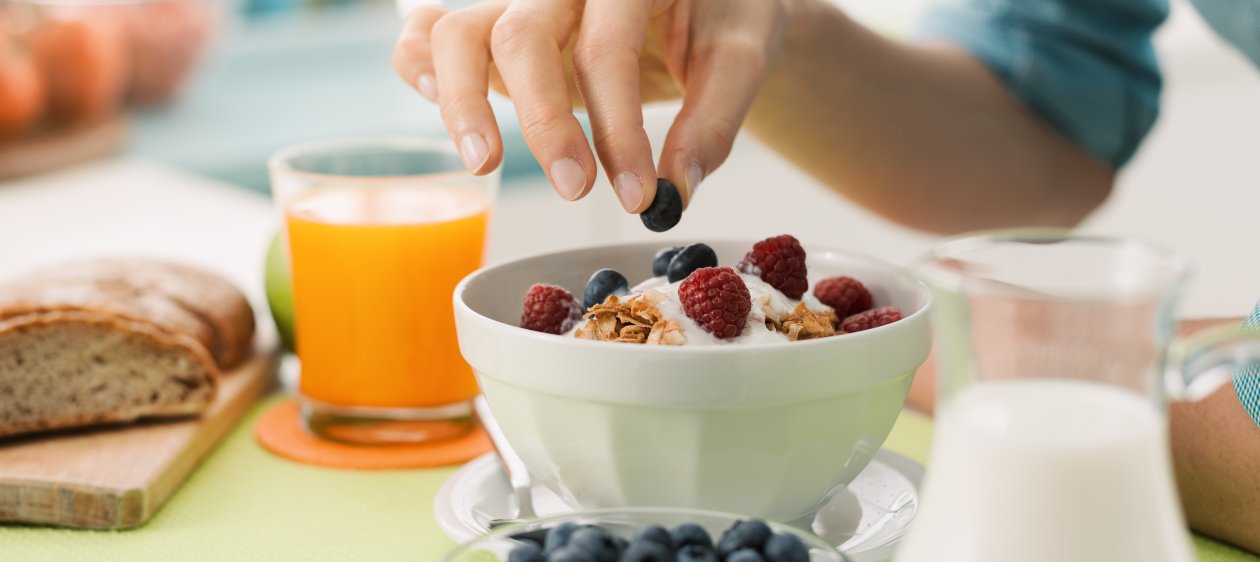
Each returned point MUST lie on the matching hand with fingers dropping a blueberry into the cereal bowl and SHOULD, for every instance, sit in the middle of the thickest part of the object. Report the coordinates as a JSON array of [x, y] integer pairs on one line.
[[612, 56]]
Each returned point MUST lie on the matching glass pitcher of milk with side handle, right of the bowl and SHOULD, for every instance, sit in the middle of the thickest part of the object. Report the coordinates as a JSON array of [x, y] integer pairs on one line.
[[1053, 377]]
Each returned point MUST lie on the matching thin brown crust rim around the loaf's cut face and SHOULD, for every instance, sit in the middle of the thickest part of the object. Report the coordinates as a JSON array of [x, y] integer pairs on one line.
[[161, 340]]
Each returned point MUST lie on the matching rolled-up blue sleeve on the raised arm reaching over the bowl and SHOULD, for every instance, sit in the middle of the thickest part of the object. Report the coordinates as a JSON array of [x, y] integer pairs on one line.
[[1085, 67]]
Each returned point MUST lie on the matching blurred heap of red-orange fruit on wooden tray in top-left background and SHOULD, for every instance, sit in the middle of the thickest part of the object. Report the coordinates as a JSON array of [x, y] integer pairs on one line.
[[71, 71]]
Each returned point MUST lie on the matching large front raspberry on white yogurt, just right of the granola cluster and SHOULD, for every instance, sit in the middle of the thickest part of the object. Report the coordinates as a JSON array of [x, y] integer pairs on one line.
[[718, 299]]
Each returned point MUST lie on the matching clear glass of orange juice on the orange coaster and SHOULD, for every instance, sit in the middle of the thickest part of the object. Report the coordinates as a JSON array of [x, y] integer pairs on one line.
[[380, 231]]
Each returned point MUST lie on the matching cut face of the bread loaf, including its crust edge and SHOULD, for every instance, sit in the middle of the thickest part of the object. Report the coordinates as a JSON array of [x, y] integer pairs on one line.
[[76, 369]]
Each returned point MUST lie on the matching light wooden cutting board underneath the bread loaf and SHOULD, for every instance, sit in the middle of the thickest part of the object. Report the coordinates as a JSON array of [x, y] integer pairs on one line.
[[118, 478]]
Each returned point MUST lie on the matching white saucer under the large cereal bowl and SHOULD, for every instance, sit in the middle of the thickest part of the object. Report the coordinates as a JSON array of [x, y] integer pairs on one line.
[[866, 521]]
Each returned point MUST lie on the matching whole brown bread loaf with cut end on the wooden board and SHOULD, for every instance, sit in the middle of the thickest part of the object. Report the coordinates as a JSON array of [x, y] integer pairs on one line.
[[113, 341]]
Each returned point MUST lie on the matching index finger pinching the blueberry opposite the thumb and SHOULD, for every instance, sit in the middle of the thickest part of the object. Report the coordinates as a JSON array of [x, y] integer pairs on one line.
[[607, 61]]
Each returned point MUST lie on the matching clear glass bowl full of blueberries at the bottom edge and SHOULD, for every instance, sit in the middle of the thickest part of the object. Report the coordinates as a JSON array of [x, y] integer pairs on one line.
[[647, 535]]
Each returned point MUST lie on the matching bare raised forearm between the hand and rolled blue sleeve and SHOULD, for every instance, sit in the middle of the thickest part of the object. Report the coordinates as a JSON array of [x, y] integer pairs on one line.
[[922, 135]]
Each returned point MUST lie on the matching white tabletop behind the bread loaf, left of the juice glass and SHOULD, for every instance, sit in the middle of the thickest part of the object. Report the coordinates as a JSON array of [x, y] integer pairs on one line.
[[130, 207]]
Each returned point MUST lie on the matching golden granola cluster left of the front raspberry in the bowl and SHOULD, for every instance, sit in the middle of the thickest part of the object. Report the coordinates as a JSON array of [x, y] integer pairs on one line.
[[636, 321]]
